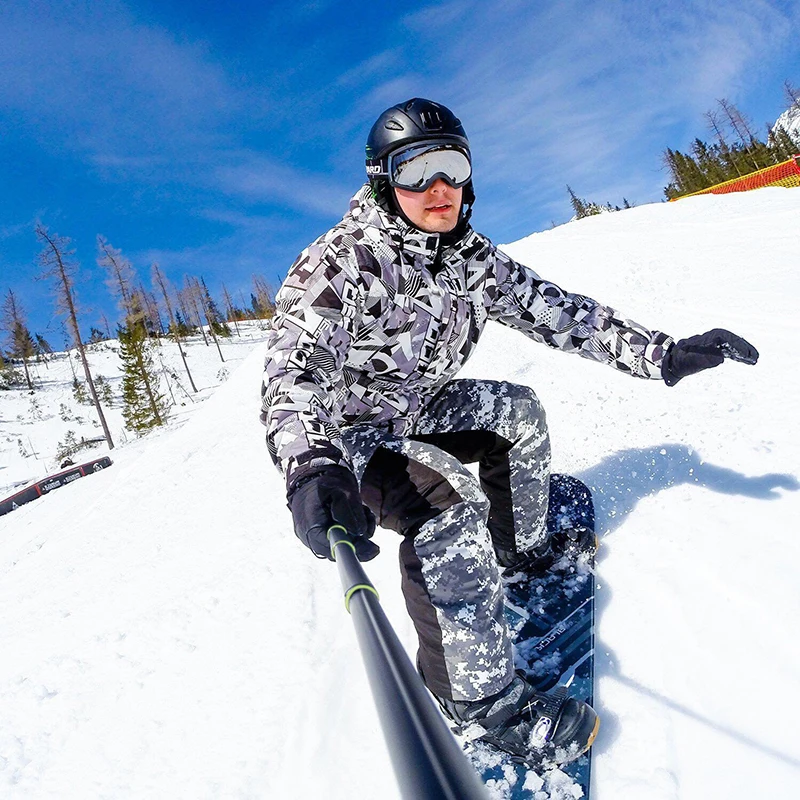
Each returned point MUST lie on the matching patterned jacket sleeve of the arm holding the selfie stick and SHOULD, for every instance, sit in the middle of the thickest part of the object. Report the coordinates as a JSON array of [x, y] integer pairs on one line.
[[317, 312]]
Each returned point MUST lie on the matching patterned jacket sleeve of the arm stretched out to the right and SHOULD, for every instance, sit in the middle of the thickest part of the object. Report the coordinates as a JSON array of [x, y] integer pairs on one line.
[[573, 322]]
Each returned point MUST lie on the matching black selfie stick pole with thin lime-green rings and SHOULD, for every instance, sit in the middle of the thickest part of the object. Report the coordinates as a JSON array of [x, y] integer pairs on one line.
[[428, 763]]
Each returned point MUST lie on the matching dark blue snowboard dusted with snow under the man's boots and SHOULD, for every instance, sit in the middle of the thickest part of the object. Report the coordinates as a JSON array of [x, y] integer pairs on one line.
[[551, 619]]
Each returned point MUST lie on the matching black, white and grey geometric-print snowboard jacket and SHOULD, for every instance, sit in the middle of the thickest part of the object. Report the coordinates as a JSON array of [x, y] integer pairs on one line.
[[376, 316]]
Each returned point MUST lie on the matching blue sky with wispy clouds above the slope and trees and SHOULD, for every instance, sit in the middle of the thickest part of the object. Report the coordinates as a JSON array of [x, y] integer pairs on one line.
[[219, 141]]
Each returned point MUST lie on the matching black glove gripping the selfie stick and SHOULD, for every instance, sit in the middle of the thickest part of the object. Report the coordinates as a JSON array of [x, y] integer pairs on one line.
[[331, 497]]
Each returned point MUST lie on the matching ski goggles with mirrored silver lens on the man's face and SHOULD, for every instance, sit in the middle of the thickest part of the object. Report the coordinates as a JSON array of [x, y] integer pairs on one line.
[[416, 167]]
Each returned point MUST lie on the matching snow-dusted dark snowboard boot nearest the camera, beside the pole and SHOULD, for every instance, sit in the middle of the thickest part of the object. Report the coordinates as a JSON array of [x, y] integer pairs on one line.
[[535, 728]]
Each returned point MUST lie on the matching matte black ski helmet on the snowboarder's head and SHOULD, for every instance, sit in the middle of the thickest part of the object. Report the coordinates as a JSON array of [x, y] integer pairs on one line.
[[416, 120]]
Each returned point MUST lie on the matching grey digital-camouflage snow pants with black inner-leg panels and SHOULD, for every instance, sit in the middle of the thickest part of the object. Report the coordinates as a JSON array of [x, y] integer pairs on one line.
[[453, 524]]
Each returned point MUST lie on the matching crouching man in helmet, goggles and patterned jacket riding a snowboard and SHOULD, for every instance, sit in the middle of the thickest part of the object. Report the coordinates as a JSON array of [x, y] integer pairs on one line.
[[367, 423]]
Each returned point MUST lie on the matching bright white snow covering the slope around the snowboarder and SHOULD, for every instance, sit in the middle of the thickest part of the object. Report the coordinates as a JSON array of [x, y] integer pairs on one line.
[[164, 634]]
